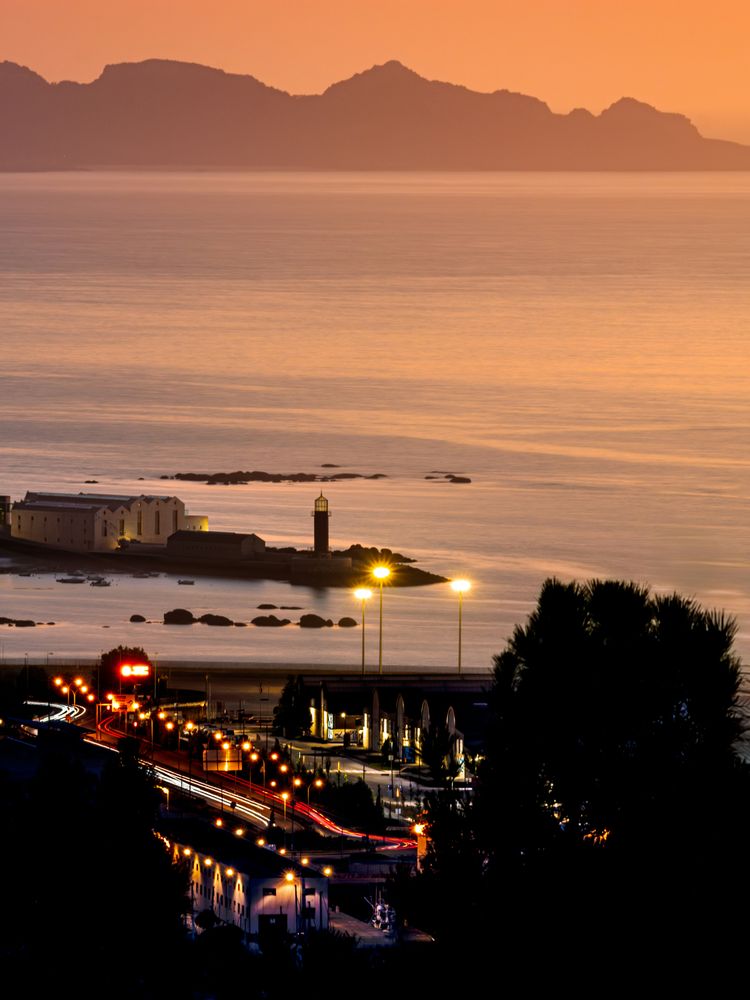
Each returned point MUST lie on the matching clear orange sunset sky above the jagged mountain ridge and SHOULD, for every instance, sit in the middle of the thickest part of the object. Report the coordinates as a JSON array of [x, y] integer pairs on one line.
[[680, 55]]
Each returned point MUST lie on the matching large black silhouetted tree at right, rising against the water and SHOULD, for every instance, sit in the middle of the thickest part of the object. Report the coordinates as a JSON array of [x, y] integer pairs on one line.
[[612, 789]]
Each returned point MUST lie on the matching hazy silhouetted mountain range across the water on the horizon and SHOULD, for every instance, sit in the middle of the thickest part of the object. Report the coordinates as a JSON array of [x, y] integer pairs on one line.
[[161, 114]]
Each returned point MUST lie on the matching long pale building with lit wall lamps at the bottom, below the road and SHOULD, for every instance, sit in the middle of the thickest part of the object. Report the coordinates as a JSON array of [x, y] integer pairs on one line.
[[259, 890]]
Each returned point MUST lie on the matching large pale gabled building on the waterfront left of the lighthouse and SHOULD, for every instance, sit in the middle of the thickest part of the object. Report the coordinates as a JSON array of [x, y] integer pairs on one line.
[[97, 522]]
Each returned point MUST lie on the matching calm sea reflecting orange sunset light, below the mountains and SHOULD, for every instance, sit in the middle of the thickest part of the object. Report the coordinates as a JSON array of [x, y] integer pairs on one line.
[[577, 344]]
